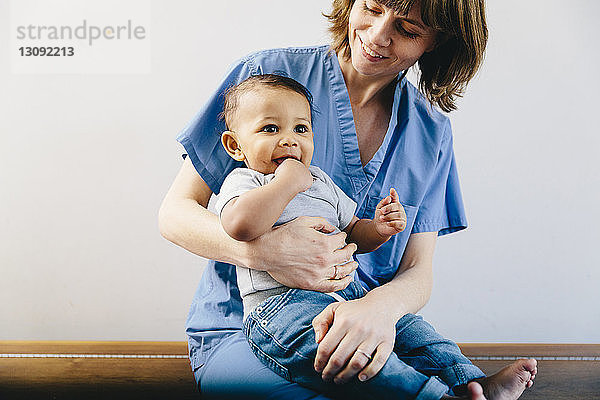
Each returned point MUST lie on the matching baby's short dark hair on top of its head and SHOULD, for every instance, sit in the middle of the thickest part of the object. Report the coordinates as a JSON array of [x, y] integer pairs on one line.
[[233, 94]]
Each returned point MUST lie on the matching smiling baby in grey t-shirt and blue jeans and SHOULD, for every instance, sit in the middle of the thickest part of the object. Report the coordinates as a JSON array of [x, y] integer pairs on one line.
[[268, 118]]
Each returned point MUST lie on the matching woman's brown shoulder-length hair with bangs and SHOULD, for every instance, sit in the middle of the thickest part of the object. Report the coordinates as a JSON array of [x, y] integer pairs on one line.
[[447, 69]]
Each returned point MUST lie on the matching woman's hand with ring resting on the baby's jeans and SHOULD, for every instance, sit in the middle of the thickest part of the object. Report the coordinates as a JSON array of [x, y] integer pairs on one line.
[[355, 337]]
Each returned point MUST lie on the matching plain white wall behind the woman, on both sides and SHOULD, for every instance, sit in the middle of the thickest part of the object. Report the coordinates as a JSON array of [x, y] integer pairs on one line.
[[85, 160]]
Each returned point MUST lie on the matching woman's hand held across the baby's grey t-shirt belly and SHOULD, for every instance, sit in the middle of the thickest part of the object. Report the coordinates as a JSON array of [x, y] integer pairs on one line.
[[300, 254]]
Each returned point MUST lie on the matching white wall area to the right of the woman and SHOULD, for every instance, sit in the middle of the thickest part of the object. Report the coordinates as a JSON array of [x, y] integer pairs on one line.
[[527, 269]]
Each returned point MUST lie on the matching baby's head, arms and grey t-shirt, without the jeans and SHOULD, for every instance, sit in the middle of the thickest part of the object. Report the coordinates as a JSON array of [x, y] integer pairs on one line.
[[269, 122]]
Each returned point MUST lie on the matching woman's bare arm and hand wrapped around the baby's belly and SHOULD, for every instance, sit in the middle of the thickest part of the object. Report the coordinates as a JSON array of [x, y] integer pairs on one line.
[[296, 254]]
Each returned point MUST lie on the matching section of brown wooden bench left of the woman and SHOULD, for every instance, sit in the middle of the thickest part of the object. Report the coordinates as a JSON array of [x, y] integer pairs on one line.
[[95, 370]]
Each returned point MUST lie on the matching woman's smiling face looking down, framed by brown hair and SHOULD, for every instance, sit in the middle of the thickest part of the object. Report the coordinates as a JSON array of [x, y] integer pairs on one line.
[[382, 42]]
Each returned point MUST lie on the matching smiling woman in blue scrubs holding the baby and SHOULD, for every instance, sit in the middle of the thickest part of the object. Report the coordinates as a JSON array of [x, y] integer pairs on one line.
[[373, 130]]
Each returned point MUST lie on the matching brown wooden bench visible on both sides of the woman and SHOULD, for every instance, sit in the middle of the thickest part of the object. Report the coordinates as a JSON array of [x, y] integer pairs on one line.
[[160, 370]]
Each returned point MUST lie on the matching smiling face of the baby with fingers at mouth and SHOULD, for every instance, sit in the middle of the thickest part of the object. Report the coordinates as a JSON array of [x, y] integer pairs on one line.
[[272, 124]]
